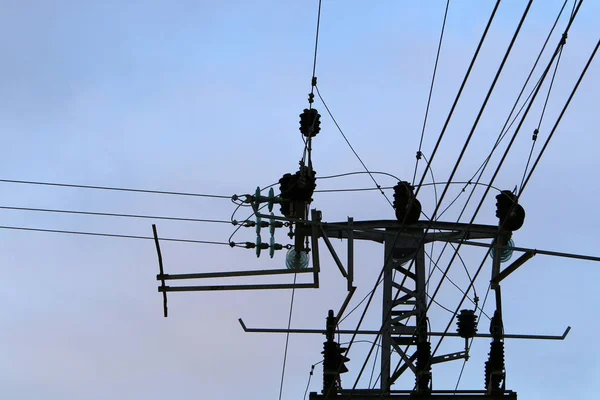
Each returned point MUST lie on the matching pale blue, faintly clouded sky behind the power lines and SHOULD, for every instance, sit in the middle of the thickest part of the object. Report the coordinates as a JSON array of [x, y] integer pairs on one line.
[[204, 97]]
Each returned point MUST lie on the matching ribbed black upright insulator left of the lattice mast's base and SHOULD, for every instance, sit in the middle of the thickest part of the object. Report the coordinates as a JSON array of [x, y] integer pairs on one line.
[[333, 359]]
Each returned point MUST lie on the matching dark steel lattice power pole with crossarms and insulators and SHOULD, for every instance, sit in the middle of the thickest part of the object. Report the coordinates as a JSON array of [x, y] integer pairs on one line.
[[405, 336]]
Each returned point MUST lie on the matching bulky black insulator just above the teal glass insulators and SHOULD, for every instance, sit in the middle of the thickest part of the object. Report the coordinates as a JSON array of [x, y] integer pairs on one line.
[[296, 192]]
